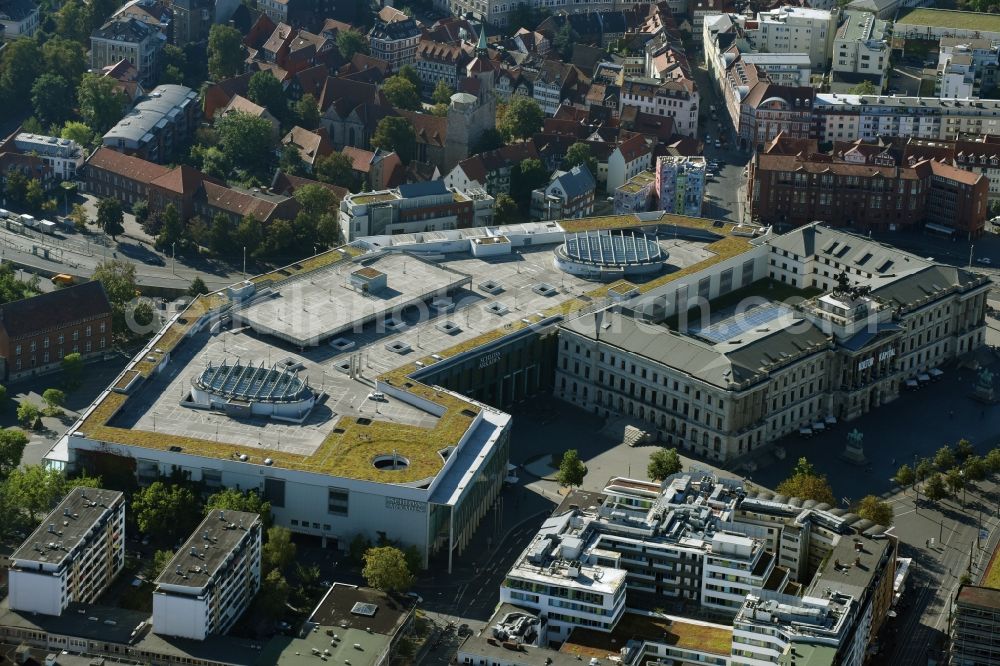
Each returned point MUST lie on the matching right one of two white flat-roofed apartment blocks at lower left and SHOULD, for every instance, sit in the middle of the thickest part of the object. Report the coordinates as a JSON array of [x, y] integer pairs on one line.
[[212, 579]]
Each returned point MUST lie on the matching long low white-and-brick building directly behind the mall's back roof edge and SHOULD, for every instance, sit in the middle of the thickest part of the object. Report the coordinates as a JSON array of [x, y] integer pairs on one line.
[[413, 208]]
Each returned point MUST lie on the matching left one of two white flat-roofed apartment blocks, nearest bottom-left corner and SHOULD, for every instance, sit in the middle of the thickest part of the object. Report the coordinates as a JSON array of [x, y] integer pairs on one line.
[[72, 556]]
